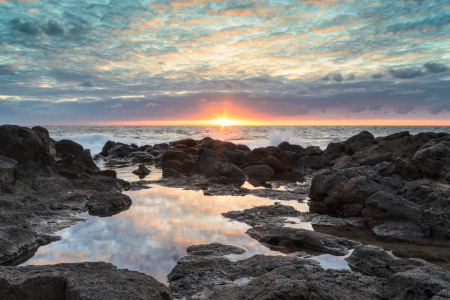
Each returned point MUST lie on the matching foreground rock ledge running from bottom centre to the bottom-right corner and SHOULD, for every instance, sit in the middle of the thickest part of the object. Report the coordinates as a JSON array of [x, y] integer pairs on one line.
[[379, 276]]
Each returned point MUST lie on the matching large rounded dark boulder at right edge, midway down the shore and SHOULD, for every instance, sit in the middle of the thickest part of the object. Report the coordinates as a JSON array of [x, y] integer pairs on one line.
[[364, 192]]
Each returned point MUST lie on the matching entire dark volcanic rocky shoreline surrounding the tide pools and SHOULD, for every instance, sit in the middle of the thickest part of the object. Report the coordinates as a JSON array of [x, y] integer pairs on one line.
[[397, 188]]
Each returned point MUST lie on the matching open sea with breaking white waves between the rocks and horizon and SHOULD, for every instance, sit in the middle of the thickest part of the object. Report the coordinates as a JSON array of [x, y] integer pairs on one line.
[[94, 137]]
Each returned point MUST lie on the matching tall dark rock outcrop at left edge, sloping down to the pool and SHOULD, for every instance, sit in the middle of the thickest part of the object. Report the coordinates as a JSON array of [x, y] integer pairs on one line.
[[43, 184]]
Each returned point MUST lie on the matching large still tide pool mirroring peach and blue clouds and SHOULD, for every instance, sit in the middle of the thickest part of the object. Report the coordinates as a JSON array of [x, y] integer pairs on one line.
[[154, 233]]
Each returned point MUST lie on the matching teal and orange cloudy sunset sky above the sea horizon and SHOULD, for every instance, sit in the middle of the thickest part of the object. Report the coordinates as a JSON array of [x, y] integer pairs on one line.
[[303, 62]]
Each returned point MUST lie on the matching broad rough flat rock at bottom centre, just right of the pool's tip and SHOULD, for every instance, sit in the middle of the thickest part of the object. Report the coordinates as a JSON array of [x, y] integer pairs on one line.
[[268, 277]]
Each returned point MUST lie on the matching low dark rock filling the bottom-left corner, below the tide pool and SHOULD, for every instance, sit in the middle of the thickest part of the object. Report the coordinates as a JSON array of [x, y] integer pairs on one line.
[[94, 280]]
